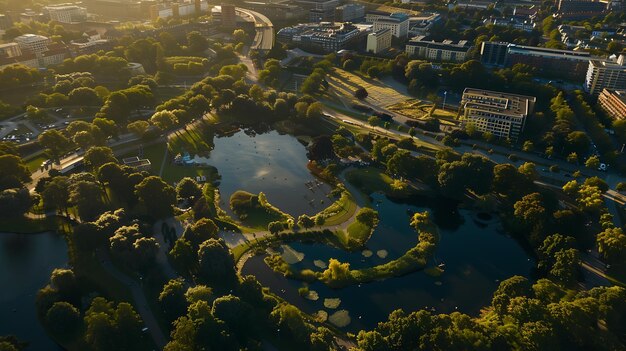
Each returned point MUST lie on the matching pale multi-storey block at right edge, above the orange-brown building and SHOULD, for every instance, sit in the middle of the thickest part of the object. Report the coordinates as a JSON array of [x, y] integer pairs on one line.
[[606, 75]]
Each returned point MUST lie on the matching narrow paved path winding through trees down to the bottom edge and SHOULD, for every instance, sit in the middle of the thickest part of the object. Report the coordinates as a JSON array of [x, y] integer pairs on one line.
[[141, 303]]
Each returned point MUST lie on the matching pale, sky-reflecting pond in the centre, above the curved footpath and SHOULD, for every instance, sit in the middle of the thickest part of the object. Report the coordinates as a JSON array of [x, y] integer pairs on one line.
[[272, 163]]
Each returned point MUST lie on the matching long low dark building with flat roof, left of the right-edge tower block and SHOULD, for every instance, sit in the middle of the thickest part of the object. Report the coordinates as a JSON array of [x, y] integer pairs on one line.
[[566, 64]]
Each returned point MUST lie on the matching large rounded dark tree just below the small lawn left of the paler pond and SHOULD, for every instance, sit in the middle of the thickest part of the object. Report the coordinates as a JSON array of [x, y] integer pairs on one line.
[[157, 196]]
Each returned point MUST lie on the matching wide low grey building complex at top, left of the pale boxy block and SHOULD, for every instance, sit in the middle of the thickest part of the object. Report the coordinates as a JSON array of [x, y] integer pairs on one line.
[[322, 37]]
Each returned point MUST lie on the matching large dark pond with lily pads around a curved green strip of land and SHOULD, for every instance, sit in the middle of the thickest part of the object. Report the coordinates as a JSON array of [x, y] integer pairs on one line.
[[476, 257]]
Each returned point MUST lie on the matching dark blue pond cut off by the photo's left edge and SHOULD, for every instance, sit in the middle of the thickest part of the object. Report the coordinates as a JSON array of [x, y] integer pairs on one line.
[[26, 261]]
